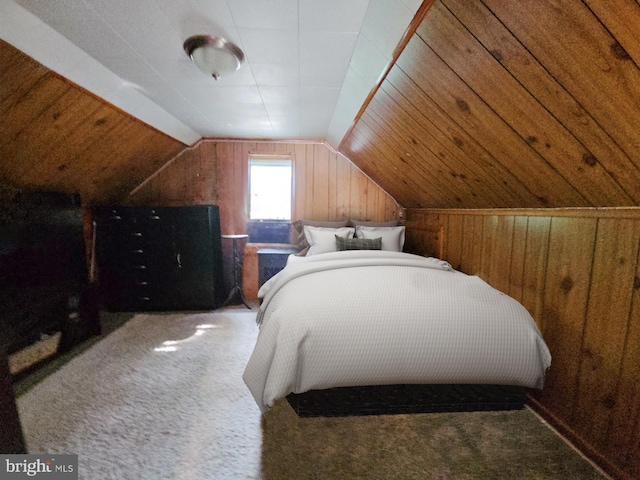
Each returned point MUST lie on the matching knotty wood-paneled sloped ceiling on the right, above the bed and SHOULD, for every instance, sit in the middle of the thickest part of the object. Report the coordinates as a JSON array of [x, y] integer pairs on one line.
[[510, 104]]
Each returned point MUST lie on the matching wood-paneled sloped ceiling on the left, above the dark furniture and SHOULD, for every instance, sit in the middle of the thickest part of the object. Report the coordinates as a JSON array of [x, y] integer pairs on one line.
[[55, 135]]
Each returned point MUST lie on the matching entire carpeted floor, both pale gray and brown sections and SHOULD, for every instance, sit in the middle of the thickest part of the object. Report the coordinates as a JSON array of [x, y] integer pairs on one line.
[[162, 397]]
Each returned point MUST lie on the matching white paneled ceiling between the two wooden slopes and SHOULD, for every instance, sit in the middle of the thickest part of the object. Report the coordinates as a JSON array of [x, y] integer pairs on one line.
[[309, 63]]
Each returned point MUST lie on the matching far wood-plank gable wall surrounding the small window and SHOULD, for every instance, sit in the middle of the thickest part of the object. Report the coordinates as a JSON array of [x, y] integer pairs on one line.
[[327, 186]]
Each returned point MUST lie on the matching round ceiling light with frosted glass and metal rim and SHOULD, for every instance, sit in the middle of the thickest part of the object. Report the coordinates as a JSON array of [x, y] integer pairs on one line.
[[215, 56]]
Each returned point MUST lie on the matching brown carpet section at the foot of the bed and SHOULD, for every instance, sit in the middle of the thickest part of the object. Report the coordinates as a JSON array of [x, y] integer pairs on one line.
[[509, 445]]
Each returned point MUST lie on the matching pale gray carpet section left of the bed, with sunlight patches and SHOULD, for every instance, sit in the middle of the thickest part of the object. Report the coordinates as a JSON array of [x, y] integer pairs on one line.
[[136, 407]]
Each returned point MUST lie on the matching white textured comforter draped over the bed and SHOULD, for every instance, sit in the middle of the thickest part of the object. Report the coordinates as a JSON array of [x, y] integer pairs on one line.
[[378, 318]]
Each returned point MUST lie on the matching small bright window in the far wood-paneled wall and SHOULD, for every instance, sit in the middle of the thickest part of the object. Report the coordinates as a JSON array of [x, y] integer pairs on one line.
[[270, 179]]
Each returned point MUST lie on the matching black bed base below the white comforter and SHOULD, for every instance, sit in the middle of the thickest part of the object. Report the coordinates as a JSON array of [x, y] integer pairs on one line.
[[397, 399]]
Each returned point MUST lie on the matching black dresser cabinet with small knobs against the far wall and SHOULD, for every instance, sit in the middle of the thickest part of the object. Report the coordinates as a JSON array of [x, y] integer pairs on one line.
[[159, 258]]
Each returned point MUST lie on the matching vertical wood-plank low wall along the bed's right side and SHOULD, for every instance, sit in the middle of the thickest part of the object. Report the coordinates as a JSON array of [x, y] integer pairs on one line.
[[578, 272]]
